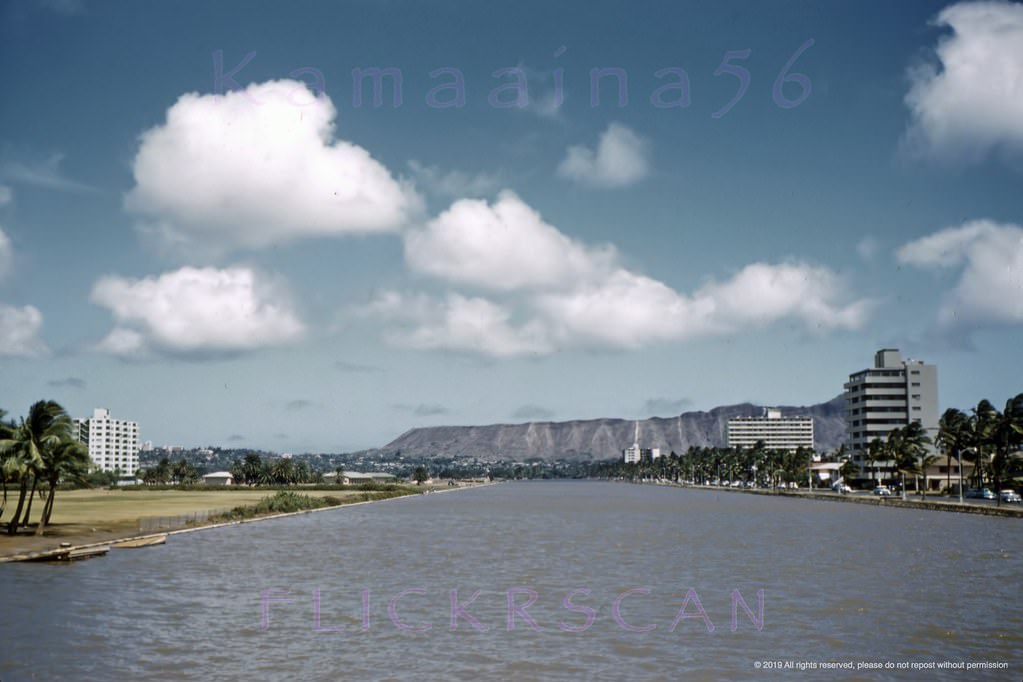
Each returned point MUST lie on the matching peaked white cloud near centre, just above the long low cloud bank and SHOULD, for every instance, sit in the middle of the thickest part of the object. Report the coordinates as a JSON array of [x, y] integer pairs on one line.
[[502, 247]]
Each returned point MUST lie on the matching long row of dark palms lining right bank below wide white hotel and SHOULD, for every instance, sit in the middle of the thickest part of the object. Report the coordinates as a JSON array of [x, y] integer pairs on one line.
[[760, 466]]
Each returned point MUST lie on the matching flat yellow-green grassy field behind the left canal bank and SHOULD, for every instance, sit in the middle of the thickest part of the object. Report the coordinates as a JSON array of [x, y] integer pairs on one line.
[[104, 508]]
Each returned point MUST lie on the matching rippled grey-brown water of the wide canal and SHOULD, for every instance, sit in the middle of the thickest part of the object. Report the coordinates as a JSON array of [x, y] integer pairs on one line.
[[539, 581]]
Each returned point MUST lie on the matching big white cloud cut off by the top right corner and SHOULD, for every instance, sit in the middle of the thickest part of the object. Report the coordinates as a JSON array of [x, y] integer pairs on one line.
[[974, 103]]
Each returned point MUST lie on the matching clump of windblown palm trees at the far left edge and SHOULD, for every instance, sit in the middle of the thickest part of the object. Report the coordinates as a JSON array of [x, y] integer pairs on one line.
[[37, 453]]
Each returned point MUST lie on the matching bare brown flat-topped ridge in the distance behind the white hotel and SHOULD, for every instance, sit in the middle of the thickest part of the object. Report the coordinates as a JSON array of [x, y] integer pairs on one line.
[[603, 439]]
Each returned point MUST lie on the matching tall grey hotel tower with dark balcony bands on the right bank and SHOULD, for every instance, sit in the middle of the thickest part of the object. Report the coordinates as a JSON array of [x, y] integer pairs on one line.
[[891, 395]]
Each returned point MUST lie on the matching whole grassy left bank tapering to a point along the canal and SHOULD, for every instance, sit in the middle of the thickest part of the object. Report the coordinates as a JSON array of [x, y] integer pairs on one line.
[[268, 505]]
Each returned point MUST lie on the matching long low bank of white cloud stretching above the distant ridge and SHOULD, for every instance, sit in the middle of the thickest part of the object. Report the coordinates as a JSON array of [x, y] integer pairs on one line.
[[628, 311]]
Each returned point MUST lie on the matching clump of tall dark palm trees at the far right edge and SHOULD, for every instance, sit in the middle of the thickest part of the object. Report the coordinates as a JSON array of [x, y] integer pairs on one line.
[[989, 439]]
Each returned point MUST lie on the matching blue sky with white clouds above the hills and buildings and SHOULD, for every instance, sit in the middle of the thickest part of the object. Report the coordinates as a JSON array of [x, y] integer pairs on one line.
[[212, 224]]
